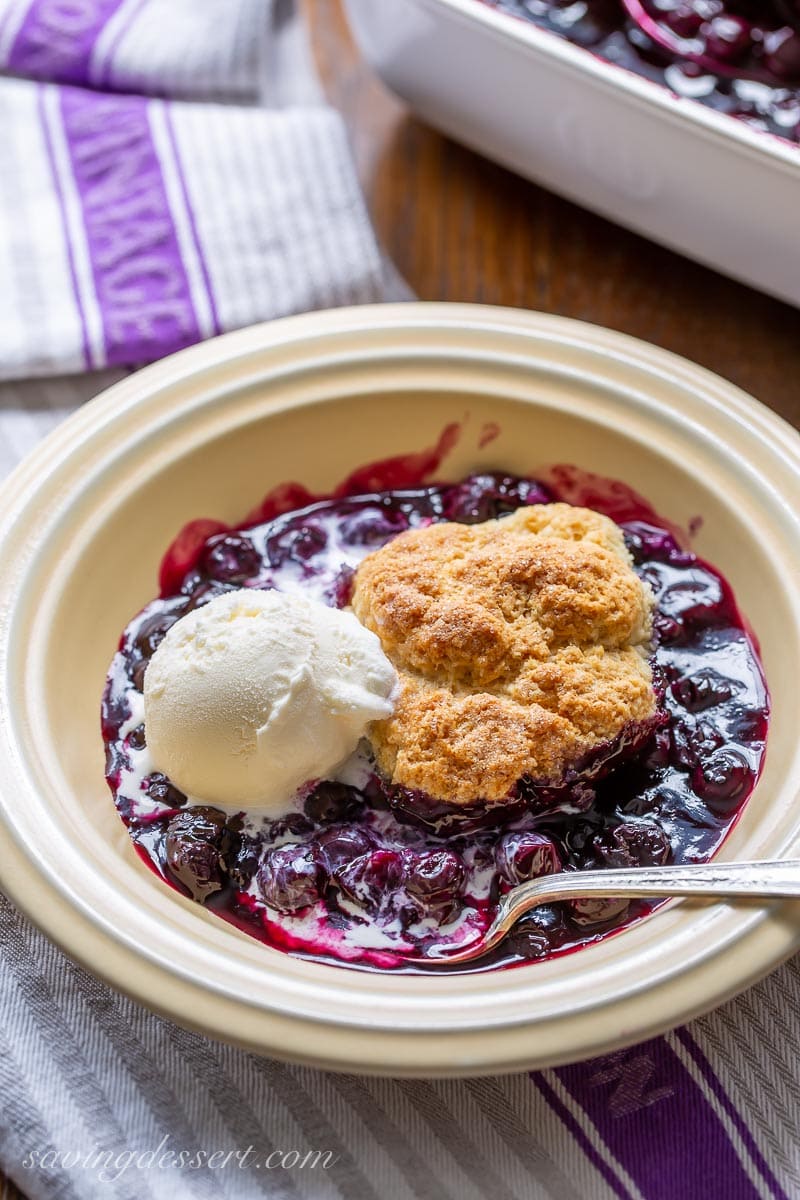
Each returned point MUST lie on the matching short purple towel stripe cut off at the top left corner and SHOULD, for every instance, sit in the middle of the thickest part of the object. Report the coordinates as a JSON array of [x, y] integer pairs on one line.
[[56, 39]]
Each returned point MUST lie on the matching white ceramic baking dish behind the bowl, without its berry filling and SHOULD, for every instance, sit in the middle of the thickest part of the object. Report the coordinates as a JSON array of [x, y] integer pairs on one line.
[[683, 175]]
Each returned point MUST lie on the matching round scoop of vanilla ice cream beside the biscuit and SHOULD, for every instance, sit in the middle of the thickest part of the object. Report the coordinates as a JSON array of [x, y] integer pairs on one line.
[[257, 693]]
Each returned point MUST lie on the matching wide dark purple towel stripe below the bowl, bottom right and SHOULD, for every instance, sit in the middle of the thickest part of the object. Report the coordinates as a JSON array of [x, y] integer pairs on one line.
[[657, 1123]]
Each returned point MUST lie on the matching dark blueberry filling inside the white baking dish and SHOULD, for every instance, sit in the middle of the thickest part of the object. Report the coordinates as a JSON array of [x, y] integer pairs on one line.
[[739, 57]]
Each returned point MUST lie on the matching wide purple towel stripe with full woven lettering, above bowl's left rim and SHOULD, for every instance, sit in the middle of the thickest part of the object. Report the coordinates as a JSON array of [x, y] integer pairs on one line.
[[142, 286]]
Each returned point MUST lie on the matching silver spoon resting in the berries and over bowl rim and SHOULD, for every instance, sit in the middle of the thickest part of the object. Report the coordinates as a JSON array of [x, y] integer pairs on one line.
[[753, 881]]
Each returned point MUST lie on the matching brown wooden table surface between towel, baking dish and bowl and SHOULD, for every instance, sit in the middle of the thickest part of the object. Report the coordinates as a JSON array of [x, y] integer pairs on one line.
[[461, 229]]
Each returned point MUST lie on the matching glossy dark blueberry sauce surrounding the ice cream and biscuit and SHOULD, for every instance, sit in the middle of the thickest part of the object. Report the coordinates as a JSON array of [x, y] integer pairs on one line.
[[352, 879]]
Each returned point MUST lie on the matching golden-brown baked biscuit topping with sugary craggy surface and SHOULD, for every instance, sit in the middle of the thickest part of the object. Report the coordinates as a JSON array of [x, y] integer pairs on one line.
[[521, 646]]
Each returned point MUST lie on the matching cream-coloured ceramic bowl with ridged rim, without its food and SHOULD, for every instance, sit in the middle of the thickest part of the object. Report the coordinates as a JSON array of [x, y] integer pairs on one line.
[[83, 525]]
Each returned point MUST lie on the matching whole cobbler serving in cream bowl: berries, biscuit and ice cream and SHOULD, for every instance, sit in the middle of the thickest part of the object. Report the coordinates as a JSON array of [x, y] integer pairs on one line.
[[351, 725]]
